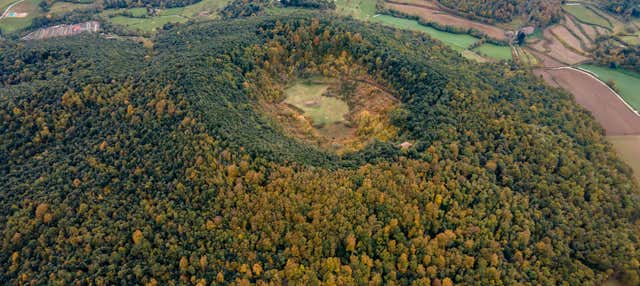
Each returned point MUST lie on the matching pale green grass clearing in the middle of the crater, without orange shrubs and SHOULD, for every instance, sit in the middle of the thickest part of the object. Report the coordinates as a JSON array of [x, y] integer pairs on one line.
[[322, 110]]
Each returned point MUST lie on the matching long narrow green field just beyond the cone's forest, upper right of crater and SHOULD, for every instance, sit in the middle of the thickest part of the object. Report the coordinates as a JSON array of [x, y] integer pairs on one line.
[[458, 42]]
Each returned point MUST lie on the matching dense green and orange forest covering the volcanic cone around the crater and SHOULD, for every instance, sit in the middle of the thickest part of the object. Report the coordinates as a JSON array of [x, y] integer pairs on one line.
[[125, 165]]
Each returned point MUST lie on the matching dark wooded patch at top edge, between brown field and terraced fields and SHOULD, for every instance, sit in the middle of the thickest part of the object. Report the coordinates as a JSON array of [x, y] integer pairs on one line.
[[539, 12]]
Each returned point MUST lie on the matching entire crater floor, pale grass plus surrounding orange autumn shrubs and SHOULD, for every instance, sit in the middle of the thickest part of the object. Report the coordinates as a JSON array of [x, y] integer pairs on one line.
[[337, 115]]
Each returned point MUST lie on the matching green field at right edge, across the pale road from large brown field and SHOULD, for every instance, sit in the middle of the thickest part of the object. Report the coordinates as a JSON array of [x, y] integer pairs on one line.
[[626, 82]]
